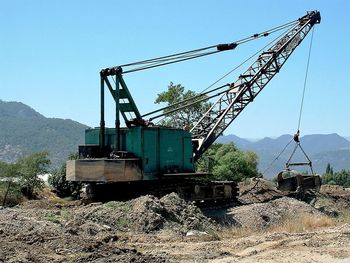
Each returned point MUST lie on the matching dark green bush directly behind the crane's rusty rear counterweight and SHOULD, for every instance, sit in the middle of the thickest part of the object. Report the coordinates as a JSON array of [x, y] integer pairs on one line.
[[63, 187]]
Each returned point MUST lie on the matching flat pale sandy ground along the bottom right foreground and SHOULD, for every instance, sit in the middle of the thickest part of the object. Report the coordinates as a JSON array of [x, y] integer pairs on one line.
[[326, 245]]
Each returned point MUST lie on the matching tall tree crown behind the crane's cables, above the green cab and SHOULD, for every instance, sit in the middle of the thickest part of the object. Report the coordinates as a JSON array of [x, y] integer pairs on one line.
[[183, 118]]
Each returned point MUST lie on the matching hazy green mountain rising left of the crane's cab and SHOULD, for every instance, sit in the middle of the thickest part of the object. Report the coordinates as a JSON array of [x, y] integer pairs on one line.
[[24, 131]]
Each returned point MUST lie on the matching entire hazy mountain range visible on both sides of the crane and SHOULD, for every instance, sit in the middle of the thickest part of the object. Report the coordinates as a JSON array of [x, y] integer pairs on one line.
[[23, 131]]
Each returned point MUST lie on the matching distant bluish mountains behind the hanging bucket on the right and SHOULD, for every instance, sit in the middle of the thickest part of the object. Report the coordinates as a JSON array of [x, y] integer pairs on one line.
[[320, 148]]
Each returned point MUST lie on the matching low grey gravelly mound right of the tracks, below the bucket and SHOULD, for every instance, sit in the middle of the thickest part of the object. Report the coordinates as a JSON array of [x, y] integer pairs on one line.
[[263, 215]]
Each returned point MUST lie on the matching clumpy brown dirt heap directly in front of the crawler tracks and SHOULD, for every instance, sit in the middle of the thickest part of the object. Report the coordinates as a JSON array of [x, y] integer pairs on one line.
[[145, 214]]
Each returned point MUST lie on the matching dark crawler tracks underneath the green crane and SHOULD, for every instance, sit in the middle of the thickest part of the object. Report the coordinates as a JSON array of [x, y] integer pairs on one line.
[[204, 194]]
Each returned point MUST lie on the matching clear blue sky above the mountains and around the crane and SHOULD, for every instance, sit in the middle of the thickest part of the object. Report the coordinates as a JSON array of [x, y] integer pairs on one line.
[[51, 53]]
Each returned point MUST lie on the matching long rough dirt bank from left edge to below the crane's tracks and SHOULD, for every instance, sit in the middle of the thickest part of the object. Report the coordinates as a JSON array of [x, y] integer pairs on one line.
[[41, 231]]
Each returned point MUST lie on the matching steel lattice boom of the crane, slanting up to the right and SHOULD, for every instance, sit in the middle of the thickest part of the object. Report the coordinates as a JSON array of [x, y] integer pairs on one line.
[[249, 85]]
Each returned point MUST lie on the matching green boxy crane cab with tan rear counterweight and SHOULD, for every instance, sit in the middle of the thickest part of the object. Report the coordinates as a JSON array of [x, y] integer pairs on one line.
[[146, 153]]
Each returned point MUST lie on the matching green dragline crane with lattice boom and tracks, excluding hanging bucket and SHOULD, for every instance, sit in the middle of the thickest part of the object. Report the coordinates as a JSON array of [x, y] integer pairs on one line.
[[146, 158]]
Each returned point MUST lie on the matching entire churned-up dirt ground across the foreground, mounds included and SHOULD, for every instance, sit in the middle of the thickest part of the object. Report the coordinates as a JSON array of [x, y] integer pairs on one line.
[[268, 226]]
